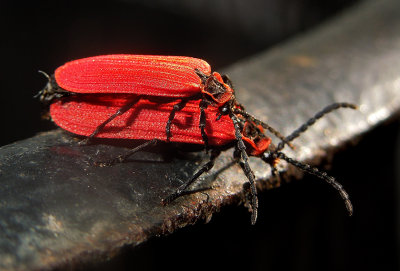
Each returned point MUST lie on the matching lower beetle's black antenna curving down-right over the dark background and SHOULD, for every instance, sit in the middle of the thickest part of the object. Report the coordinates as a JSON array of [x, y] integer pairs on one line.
[[322, 175]]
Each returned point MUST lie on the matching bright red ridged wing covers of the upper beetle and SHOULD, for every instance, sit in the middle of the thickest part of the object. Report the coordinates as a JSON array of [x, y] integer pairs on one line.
[[166, 76]]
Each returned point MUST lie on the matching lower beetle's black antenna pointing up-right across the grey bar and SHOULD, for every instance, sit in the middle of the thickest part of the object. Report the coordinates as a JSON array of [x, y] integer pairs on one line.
[[296, 133]]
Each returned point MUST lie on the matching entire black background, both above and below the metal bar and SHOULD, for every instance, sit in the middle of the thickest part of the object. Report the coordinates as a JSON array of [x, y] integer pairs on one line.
[[302, 226]]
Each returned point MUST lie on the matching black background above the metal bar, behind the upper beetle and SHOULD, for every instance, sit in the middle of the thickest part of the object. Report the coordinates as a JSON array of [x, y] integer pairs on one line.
[[42, 35]]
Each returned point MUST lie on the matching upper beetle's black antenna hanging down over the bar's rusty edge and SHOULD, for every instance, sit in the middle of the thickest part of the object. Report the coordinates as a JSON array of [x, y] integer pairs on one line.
[[241, 148]]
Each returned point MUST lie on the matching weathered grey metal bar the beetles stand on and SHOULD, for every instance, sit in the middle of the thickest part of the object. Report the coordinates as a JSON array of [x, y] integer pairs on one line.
[[57, 209]]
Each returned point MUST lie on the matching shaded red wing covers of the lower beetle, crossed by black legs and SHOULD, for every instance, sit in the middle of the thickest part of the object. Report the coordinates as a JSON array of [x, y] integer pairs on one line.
[[145, 120]]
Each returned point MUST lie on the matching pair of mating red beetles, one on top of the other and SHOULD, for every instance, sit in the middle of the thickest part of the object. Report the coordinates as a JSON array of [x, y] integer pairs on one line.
[[156, 98]]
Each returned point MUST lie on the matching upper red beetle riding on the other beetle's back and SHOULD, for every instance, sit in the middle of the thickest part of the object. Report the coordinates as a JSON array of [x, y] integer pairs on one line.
[[169, 77]]
